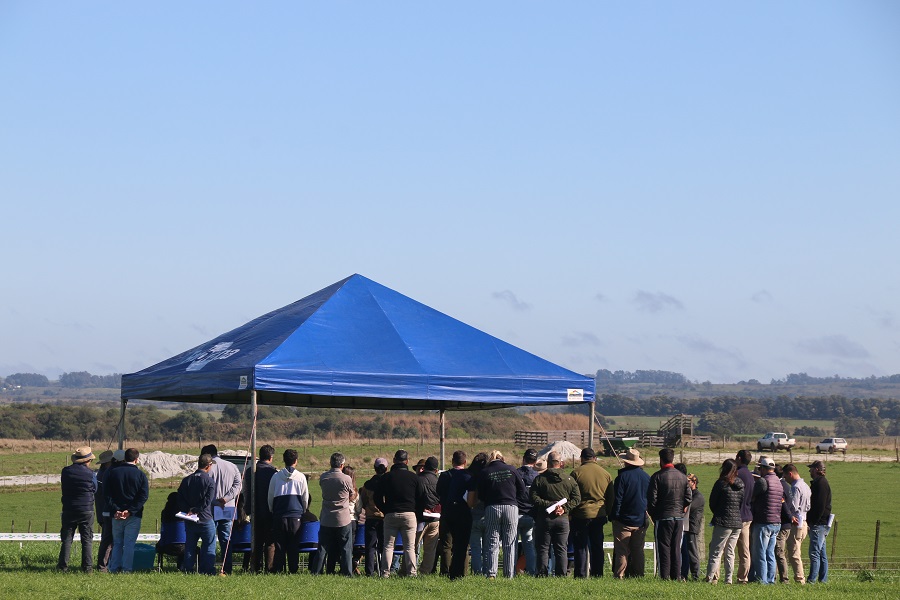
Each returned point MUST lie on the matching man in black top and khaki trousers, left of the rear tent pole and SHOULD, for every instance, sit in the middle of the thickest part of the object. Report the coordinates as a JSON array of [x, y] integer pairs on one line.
[[396, 498]]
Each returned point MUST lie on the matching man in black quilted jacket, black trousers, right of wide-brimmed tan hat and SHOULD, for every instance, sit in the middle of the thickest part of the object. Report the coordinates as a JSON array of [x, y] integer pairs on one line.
[[668, 501]]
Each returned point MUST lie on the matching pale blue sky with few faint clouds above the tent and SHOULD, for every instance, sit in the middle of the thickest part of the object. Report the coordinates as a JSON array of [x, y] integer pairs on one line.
[[705, 187]]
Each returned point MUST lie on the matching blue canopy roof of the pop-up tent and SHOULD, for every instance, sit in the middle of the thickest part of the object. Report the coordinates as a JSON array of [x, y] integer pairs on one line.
[[358, 344]]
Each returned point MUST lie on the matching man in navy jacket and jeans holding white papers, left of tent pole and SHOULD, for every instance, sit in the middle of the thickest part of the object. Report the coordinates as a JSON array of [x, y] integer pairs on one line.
[[195, 500]]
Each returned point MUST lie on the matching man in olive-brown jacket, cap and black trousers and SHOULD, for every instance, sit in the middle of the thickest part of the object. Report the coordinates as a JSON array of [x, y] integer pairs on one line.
[[588, 518]]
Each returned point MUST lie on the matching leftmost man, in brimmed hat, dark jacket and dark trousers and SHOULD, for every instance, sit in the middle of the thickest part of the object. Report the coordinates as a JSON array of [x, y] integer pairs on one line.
[[78, 489]]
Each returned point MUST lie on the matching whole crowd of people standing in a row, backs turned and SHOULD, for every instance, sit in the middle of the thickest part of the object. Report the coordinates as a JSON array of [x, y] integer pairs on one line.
[[461, 520]]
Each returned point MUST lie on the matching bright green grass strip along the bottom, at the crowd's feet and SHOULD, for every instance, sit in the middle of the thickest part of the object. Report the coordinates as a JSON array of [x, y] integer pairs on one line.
[[24, 585]]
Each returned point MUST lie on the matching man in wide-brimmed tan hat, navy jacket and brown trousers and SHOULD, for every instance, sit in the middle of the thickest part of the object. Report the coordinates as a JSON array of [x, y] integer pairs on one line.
[[629, 516]]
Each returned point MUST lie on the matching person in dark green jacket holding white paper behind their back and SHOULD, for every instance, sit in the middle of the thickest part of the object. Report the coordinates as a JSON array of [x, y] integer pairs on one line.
[[552, 494]]
